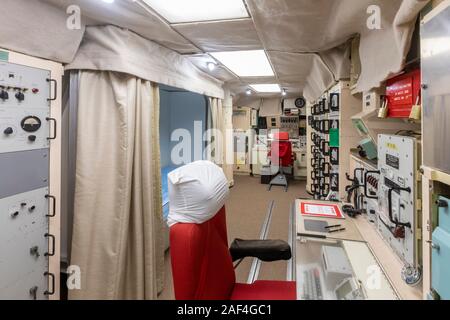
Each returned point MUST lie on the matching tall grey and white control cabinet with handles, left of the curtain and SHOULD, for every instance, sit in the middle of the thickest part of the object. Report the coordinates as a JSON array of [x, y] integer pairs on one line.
[[26, 207]]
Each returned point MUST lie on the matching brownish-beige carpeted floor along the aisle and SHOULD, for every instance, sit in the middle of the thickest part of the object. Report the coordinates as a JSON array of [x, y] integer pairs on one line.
[[246, 210]]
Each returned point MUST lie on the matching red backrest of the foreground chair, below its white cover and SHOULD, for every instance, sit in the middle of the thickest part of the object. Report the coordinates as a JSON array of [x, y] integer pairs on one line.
[[202, 268]]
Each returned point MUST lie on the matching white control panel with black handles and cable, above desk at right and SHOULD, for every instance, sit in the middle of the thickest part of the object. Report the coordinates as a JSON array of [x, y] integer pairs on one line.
[[398, 196]]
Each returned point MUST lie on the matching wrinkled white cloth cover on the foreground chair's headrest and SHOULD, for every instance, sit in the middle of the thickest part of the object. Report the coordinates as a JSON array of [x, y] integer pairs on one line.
[[197, 191]]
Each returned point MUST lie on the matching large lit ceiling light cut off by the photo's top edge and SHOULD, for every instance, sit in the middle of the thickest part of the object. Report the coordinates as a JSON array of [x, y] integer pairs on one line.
[[182, 11]]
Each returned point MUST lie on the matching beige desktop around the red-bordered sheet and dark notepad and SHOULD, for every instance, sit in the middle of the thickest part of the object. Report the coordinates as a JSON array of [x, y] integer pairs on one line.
[[351, 232]]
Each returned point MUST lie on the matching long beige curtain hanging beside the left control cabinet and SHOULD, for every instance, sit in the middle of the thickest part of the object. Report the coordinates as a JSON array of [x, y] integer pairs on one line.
[[117, 234]]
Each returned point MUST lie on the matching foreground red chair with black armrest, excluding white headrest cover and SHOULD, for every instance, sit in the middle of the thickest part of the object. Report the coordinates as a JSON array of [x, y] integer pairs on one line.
[[202, 264]]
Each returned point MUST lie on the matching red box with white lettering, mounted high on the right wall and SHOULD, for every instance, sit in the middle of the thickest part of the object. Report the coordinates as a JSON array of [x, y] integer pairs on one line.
[[402, 93]]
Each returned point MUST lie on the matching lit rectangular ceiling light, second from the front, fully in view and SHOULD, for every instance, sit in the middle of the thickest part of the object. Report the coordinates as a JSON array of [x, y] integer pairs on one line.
[[252, 63]]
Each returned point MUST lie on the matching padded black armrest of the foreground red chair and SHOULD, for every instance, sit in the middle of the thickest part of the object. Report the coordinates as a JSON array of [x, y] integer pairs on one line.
[[265, 250]]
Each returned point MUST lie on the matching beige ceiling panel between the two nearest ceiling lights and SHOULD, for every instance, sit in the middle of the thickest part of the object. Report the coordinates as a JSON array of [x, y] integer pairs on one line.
[[233, 35]]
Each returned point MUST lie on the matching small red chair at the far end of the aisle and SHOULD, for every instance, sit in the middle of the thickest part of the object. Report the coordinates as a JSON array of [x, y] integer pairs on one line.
[[280, 155]]
